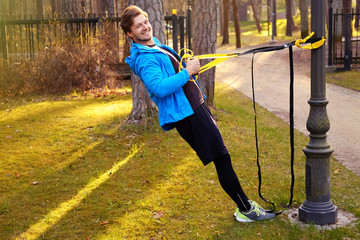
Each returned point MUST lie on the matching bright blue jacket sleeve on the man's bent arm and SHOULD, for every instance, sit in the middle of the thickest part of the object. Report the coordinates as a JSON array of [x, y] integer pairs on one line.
[[150, 71]]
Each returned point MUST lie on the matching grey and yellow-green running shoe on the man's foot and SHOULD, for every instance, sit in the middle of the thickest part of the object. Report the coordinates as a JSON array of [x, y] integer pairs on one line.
[[256, 213]]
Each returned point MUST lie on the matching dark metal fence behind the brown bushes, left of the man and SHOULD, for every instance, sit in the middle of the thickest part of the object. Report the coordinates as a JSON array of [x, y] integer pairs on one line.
[[25, 38]]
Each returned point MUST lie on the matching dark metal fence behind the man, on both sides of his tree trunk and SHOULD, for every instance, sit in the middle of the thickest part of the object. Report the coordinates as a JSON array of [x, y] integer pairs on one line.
[[21, 39]]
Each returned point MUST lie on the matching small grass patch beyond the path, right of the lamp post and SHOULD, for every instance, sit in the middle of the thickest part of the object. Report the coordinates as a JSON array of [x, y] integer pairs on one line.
[[348, 79]]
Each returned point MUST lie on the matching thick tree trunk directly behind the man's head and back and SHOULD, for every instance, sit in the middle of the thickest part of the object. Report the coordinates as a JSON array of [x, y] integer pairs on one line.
[[143, 107]]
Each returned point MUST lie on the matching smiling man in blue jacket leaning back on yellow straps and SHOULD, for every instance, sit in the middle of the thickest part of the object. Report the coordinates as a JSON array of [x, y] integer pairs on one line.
[[182, 106]]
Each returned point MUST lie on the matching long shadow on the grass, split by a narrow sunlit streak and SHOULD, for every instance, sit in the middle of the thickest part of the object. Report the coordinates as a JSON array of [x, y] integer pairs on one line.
[[116, 196]]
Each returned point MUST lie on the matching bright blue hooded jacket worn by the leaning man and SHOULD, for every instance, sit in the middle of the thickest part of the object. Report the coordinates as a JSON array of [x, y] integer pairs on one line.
[[164, 86]]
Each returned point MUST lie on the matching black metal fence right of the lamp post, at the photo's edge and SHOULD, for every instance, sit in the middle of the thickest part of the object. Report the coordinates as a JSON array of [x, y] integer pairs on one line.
[[344, 39]]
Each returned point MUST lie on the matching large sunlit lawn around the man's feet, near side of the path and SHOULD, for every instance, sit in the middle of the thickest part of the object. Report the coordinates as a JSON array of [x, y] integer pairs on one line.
[[163, 191]]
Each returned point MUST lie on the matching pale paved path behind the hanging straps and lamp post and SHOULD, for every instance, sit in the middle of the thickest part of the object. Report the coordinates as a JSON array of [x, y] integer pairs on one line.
[[272, 92]]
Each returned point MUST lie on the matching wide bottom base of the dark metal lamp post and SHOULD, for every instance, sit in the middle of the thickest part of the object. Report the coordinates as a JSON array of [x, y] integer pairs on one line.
[[318, 213]]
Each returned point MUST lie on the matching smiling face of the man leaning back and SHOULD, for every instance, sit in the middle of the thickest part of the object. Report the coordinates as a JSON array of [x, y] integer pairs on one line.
[[141, 30]]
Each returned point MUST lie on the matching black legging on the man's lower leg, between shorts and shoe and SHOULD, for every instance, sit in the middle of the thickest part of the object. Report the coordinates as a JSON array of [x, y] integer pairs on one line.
[[230, 182]]
